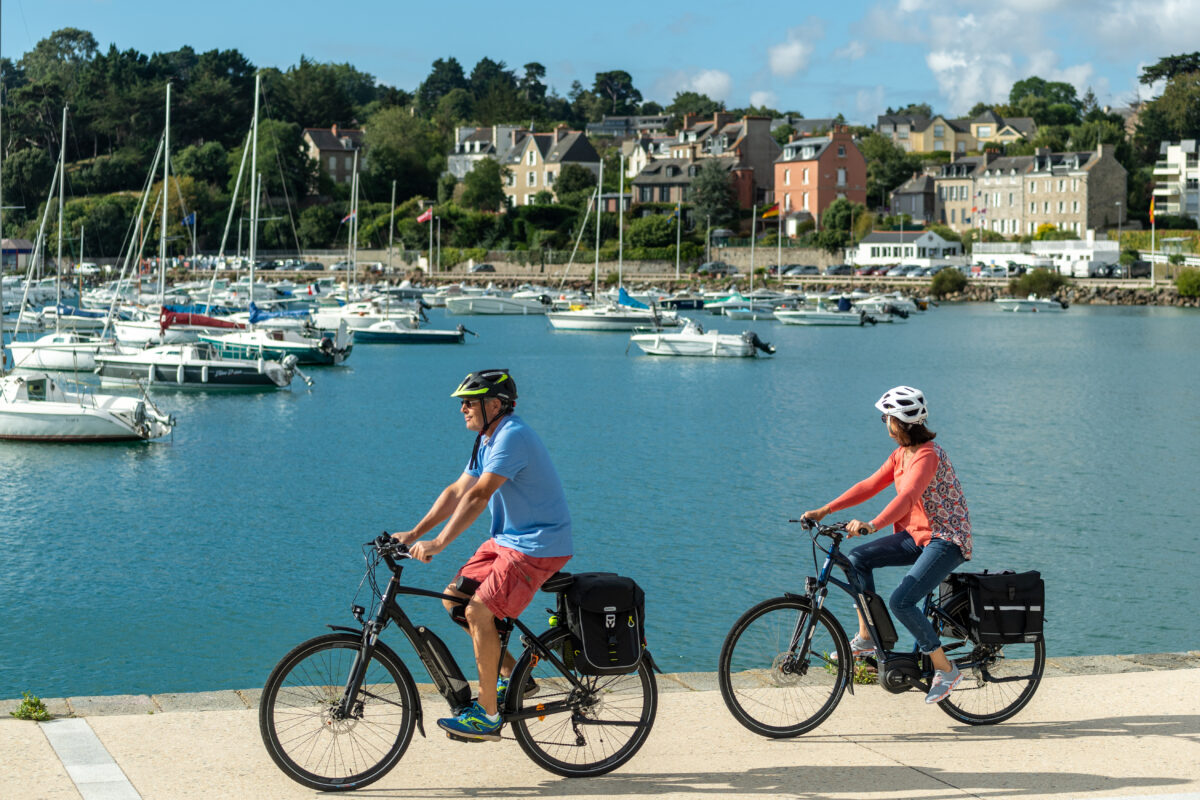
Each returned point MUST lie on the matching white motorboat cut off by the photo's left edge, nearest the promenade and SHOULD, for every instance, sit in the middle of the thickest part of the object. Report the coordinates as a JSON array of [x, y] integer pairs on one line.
[[35, 407]]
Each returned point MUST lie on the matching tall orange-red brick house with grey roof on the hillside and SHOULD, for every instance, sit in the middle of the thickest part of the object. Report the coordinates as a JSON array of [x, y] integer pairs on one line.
[[814, 172]]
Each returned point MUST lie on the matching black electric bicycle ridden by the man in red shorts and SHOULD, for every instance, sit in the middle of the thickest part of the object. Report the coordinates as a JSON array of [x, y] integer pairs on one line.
[[339, 711]]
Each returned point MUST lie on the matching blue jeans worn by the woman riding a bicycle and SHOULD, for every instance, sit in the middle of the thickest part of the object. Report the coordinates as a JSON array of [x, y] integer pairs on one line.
[[931, 566]]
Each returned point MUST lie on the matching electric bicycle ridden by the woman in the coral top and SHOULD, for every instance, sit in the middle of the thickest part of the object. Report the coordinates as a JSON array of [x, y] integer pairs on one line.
[[787, 663]]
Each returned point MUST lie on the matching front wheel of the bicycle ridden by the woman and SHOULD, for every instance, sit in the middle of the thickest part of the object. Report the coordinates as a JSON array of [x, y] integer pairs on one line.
[[763, 690]]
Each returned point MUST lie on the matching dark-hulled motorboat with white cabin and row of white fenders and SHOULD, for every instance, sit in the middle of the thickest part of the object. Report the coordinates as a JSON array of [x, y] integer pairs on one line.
[[195, 365]]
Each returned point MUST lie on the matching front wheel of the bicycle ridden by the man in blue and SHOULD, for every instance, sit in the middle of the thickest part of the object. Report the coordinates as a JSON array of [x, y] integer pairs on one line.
[[308, 743]]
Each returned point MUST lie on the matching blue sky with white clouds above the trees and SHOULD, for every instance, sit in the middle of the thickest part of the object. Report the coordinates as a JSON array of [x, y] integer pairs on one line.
[[819, 59]]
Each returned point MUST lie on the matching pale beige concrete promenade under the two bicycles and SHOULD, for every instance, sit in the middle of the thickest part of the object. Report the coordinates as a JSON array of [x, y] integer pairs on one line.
[[1100, 727]]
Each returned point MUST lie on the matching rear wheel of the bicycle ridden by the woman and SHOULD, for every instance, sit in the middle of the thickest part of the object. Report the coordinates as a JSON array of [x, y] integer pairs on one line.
[[998, 681]]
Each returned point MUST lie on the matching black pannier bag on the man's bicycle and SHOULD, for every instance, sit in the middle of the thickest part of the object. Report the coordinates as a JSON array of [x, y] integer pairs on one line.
[[607, 615]]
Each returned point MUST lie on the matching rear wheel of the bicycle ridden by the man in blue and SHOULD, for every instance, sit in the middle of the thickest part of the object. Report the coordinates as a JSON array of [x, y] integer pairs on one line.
[[608, 725]]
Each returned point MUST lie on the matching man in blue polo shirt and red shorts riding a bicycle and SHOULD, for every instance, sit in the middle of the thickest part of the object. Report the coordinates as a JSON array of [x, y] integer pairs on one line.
[[511, 474]]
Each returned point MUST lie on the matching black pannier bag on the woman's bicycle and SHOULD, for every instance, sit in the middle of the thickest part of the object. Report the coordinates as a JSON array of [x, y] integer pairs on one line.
[[1006, 607]]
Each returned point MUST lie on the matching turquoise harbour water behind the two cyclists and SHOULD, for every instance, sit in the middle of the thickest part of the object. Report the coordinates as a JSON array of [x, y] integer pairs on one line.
[[197, 564]]
